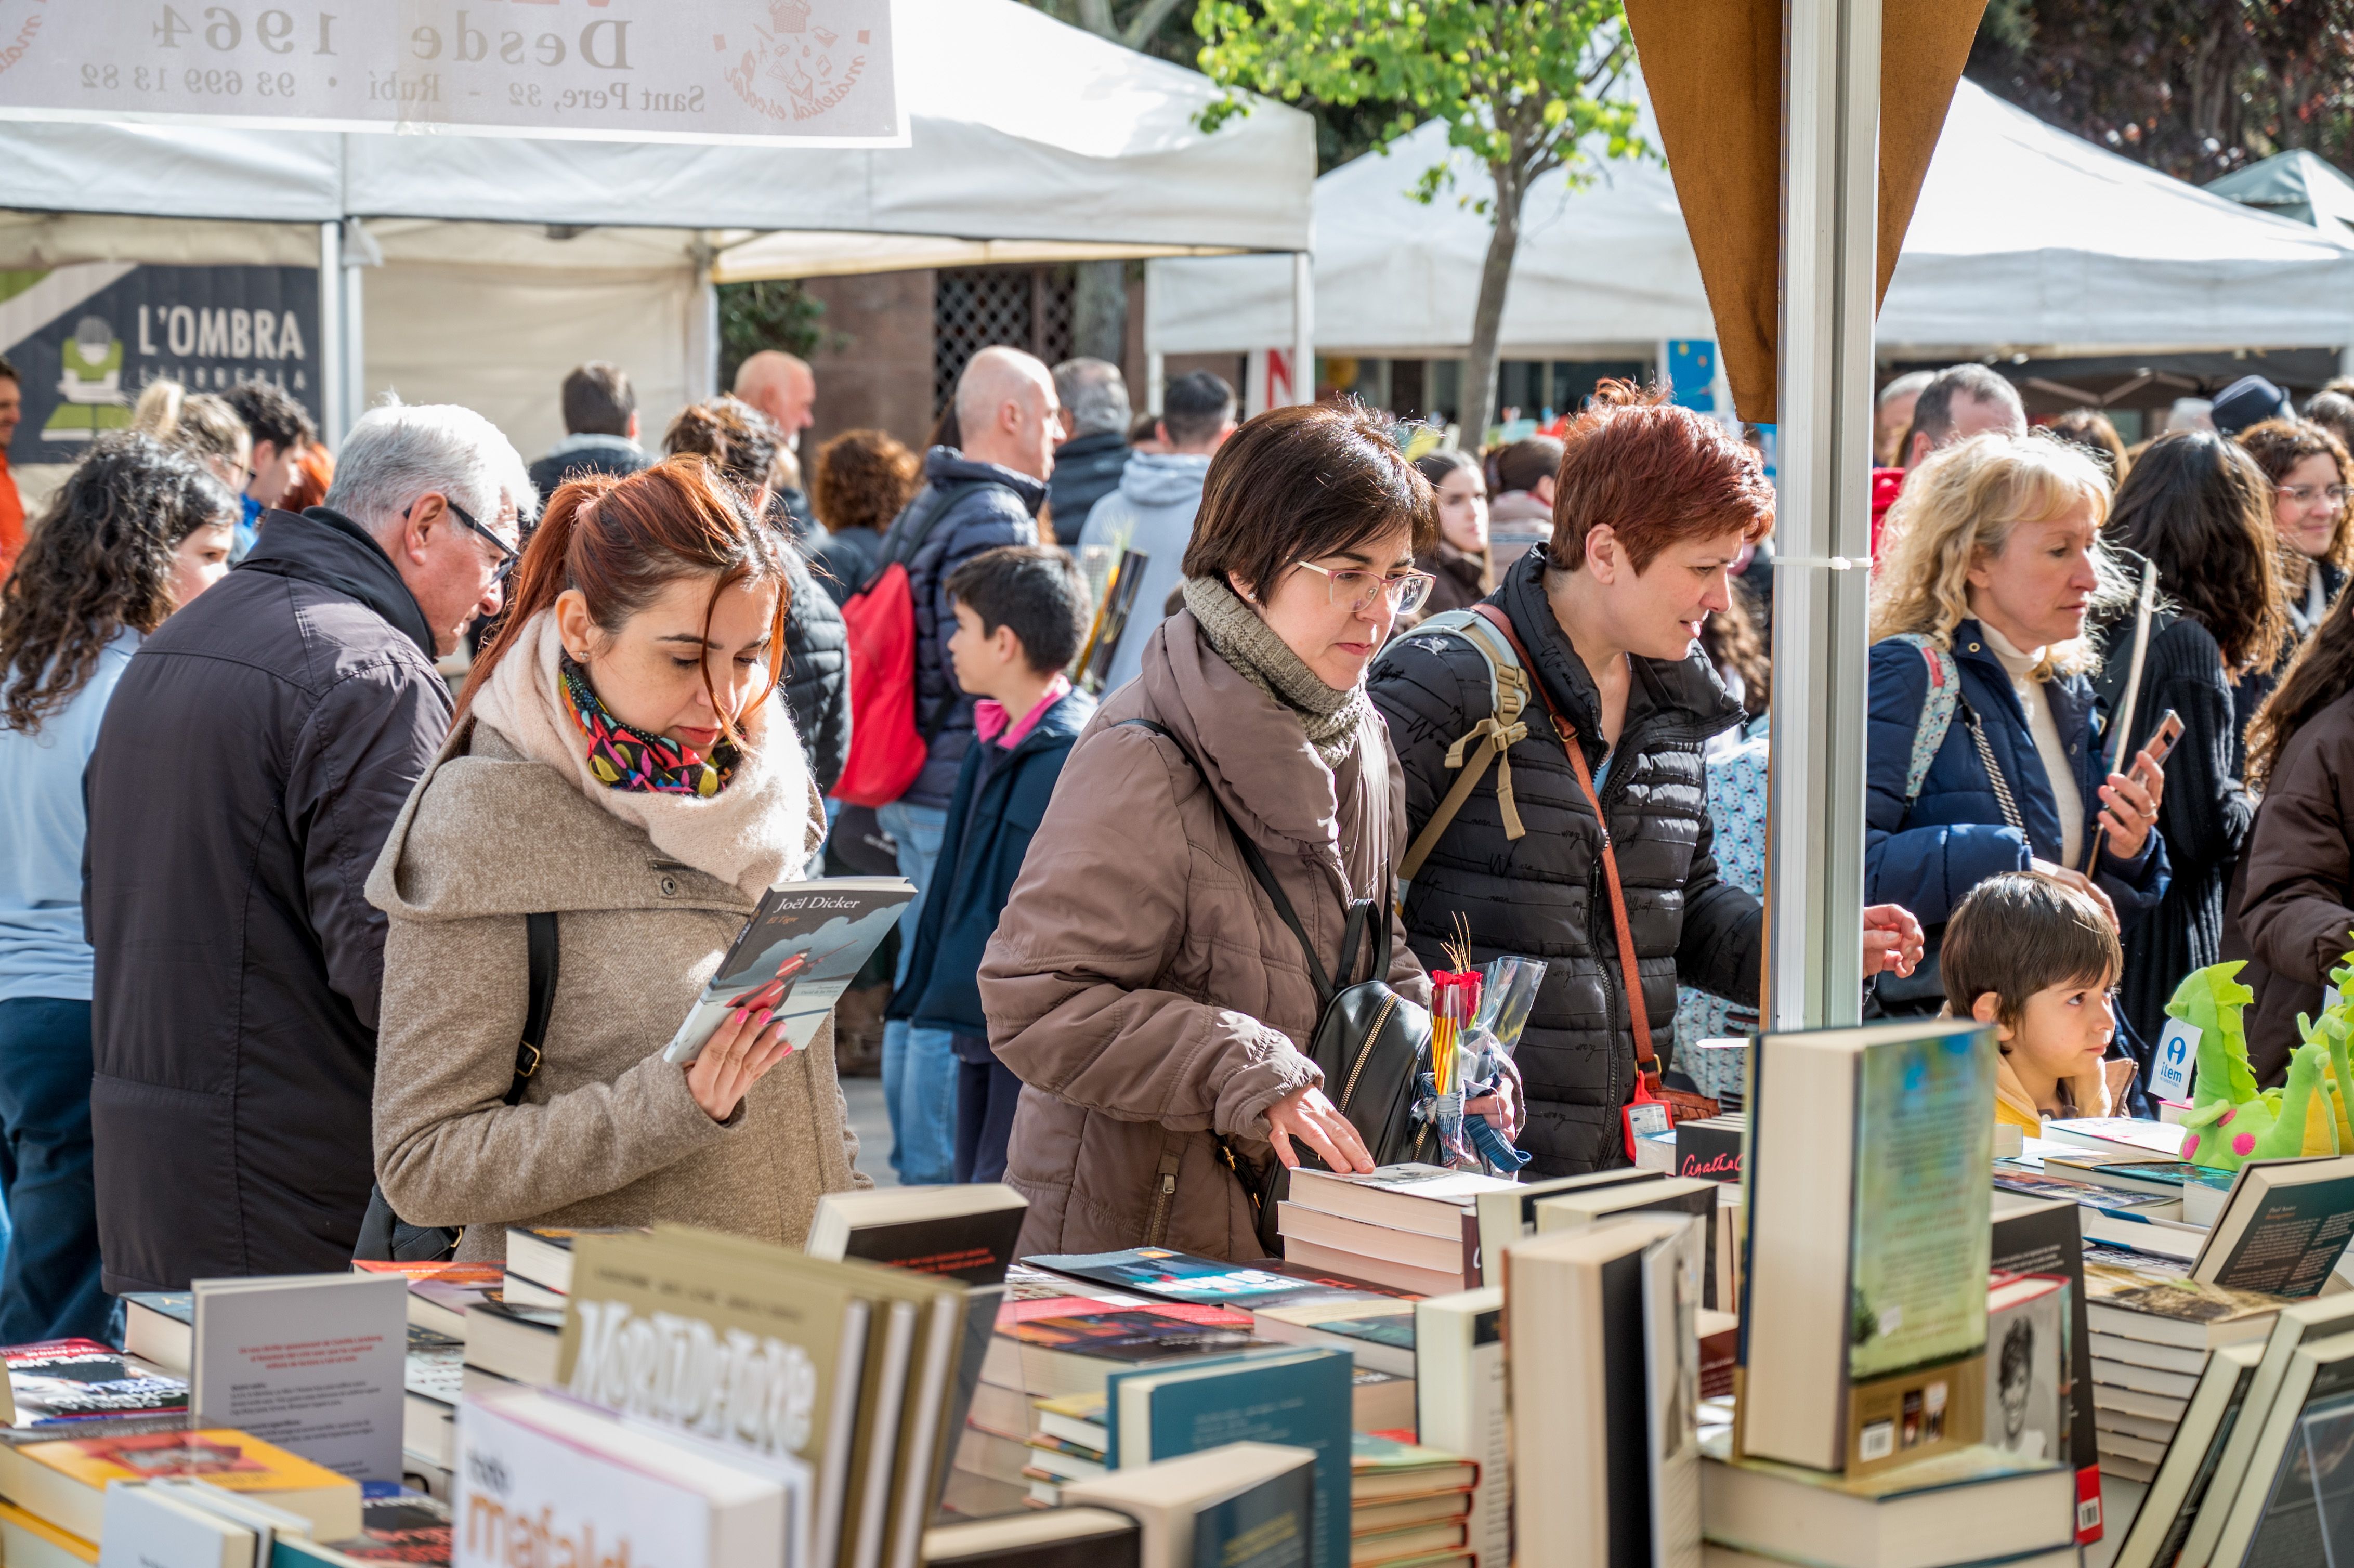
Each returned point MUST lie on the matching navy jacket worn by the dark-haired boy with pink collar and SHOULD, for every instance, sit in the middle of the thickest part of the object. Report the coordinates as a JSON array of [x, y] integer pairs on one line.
[[999, 802]]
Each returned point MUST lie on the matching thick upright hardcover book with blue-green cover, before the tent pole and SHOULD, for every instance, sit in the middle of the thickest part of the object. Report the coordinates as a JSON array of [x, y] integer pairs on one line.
[[1868, 1244]]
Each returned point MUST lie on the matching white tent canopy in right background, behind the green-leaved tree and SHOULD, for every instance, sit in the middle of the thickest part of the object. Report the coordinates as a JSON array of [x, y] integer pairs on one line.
[[2026, 239]]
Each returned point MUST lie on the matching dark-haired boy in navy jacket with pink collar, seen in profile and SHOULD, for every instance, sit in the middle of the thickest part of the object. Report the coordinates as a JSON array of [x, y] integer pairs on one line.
[[1020, 618]]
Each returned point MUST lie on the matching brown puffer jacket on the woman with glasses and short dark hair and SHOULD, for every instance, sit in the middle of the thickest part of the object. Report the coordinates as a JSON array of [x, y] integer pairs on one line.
[[1143, 988]]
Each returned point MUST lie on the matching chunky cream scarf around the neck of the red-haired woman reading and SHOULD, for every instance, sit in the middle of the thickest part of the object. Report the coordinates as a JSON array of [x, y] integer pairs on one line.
[[752, 835]]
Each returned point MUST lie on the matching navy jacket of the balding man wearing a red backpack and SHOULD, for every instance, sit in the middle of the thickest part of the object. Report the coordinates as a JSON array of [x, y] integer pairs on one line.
[[999, 507]]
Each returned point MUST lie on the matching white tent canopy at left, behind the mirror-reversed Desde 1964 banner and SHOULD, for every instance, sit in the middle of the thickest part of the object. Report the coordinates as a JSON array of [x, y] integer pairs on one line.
[[1030, 140]]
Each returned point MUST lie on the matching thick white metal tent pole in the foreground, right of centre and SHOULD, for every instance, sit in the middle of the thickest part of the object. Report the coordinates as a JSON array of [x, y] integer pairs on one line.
[[1830, 227]]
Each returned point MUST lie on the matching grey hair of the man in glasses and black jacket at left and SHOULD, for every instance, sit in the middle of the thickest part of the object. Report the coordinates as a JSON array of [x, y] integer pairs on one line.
[[401, 451]]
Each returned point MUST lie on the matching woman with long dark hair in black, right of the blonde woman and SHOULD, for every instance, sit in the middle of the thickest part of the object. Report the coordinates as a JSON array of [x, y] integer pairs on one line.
[[2197, 507]]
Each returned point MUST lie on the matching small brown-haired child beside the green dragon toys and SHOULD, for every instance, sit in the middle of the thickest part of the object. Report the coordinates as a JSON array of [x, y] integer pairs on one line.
[[2040, 962]]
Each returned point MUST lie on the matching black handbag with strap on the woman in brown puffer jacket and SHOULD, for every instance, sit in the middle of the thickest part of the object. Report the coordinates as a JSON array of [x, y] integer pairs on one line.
[[1369, 1042]]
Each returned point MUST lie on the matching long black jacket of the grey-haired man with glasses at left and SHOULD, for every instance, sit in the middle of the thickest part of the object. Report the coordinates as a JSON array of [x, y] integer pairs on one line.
[[248, 771]]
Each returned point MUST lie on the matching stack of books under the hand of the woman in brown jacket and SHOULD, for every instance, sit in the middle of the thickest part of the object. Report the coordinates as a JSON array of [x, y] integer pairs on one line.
[[1414, 1228]]
